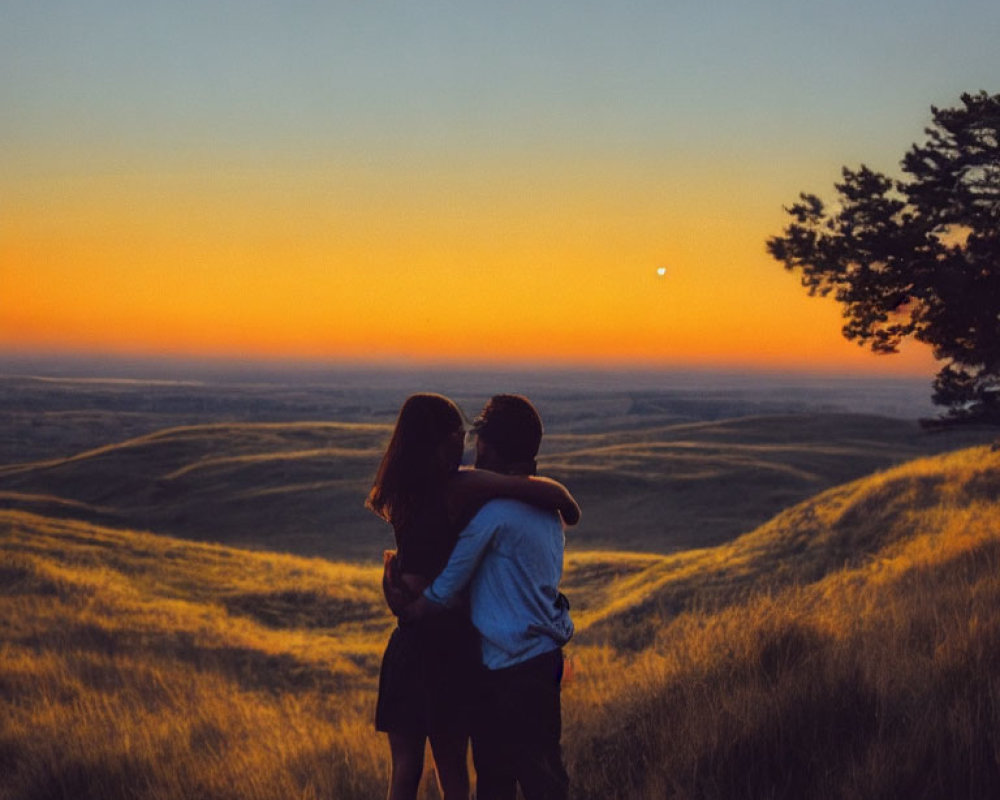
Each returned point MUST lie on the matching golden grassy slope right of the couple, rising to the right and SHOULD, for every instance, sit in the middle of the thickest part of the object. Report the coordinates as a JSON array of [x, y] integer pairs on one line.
[[845, 649]]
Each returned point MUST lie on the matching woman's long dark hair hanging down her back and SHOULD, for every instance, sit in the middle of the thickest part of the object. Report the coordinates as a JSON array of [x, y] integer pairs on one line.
[[410, 474]]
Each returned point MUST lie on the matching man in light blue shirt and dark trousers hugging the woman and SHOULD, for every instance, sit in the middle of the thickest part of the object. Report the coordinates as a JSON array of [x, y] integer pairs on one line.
[[509, 557]]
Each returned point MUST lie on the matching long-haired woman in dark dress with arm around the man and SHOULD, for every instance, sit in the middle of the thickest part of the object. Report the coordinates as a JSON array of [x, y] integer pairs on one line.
[[428, 670]]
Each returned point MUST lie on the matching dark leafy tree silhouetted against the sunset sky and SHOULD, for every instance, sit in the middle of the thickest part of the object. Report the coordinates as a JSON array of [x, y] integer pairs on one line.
[[918, 257]]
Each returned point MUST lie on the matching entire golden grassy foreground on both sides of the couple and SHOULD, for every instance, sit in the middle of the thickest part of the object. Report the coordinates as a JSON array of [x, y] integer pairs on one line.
[[844, 649]]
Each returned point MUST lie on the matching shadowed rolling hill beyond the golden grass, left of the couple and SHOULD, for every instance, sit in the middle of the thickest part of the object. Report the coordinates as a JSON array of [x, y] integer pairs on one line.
[[295, 487]]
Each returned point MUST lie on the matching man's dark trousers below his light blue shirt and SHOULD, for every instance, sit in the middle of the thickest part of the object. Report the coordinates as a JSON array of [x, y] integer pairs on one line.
[[516, 736]]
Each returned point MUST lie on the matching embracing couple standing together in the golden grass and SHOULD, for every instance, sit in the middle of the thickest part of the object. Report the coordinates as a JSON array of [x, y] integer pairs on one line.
[[477, 653]]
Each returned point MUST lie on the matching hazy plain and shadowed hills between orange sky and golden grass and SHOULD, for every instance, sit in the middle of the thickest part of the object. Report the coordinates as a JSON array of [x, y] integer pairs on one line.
[[281, 458]]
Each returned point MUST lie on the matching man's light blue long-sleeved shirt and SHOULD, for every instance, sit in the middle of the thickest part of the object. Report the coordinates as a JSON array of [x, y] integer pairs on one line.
[[510, 556]]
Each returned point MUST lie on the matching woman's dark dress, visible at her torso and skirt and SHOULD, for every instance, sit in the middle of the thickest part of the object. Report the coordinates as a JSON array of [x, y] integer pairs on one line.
[[427, 679]]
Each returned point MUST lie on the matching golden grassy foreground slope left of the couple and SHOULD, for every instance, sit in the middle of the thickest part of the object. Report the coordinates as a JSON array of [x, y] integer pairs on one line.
[[139, 666]]
